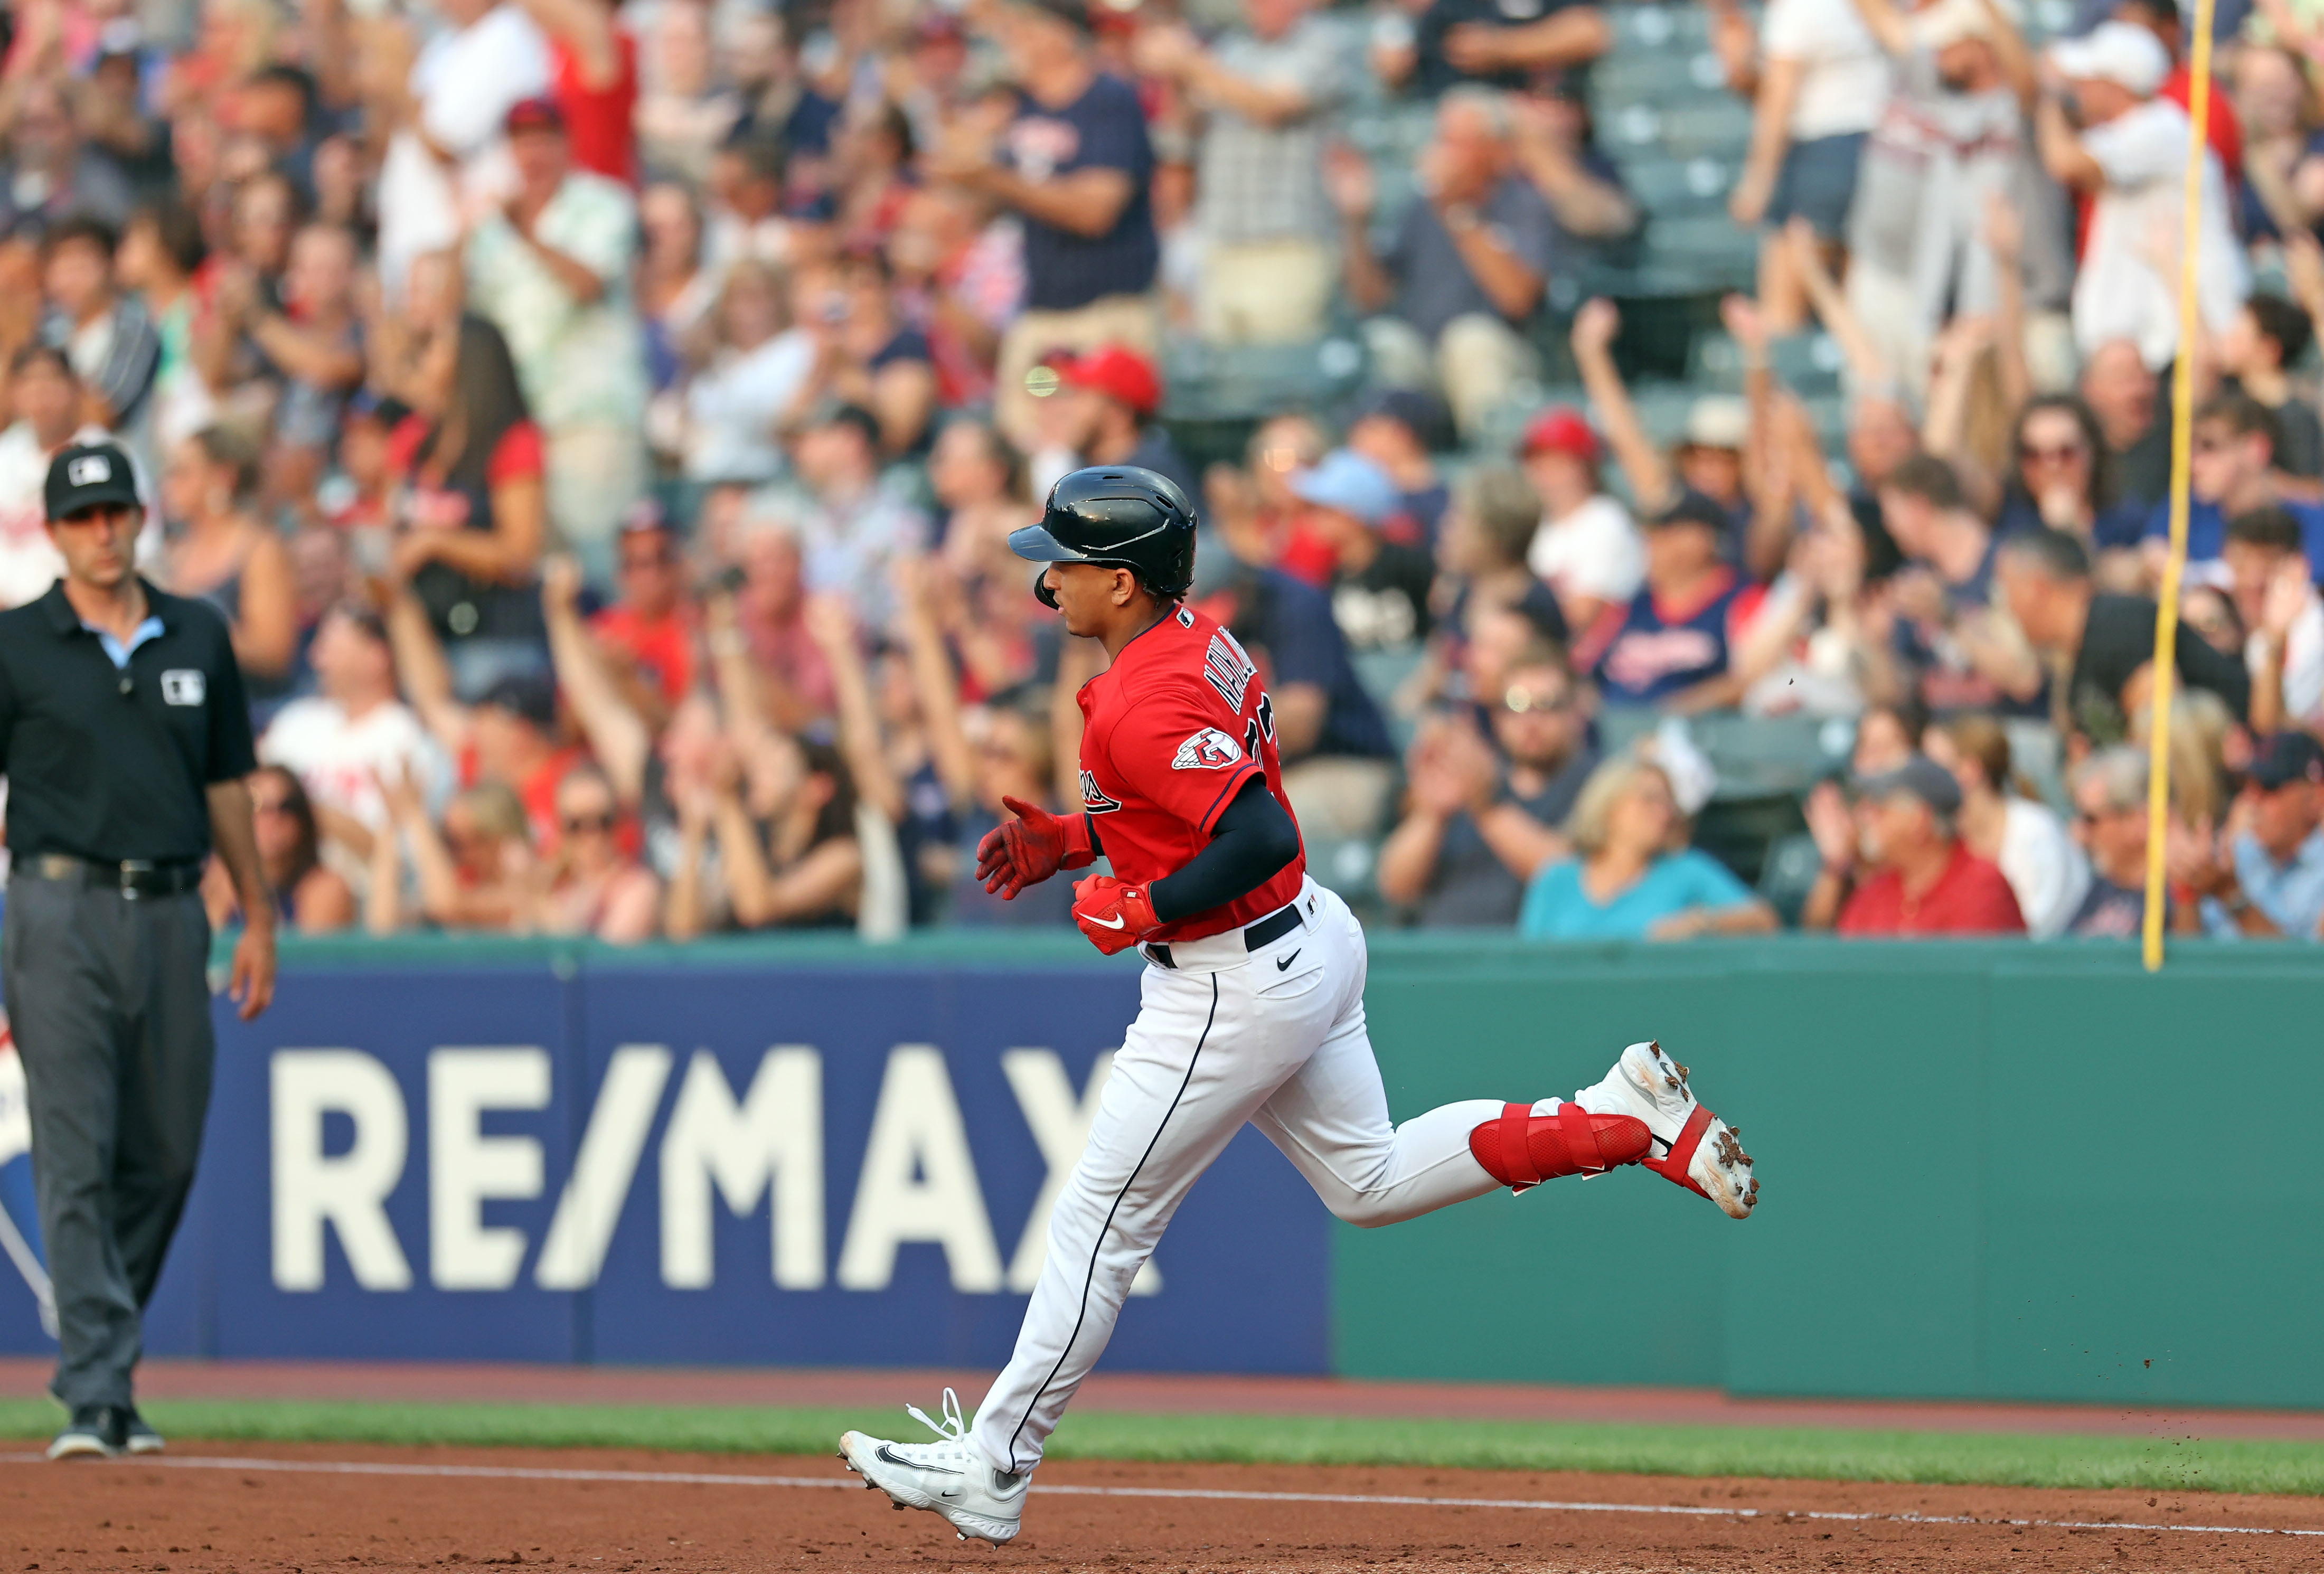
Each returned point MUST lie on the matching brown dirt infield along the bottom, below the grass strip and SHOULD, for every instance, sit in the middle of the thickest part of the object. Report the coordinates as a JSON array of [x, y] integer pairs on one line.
[[268, 1510]]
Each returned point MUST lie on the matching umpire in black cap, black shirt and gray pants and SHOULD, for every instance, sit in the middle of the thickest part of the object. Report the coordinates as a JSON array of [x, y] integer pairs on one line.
[[124, 736]]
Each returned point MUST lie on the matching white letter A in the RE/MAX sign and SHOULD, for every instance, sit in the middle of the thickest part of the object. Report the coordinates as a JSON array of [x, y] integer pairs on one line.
[[919, 1182]]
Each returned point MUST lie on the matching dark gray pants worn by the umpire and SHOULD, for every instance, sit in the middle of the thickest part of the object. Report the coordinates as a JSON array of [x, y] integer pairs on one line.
[[108, 1001]]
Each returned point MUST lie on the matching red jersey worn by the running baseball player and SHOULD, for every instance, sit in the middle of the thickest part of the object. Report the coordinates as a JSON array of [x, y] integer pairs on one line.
[[1170, 734]]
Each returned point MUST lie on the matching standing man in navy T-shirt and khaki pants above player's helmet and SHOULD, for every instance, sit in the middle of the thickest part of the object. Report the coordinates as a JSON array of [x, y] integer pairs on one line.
[[1075, 166]]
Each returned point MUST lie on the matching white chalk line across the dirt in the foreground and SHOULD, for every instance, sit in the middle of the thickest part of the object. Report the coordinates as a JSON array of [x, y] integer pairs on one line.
[[1059, 1489]]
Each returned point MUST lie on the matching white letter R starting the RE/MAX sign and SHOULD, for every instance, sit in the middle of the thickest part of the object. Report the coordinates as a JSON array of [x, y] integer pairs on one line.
[[345, 1192]]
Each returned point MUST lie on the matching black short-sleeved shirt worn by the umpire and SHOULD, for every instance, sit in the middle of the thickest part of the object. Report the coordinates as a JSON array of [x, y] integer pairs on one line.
[[115, 764]]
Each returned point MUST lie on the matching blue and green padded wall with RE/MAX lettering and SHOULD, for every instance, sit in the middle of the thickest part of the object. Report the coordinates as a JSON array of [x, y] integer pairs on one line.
[[1991, 1171]]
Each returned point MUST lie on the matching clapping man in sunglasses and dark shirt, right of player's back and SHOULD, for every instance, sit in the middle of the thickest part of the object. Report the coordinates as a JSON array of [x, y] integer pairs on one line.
[[1477, 829]]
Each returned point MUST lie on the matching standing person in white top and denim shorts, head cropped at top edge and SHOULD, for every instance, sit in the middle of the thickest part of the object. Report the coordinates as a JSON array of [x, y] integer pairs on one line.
[[1819, 87]]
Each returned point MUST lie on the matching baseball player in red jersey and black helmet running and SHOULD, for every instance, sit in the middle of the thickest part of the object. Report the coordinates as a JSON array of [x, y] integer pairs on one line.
[[1251, 1006]]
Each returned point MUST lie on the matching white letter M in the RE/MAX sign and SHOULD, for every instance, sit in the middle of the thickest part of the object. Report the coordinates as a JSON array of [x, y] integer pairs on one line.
[[773, 1143]]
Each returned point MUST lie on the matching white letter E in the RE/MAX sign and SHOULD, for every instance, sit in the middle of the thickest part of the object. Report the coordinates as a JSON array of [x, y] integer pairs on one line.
[[466, 1168]]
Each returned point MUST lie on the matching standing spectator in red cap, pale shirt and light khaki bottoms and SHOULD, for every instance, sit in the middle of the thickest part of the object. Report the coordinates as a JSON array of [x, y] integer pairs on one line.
[[552, 271]]
